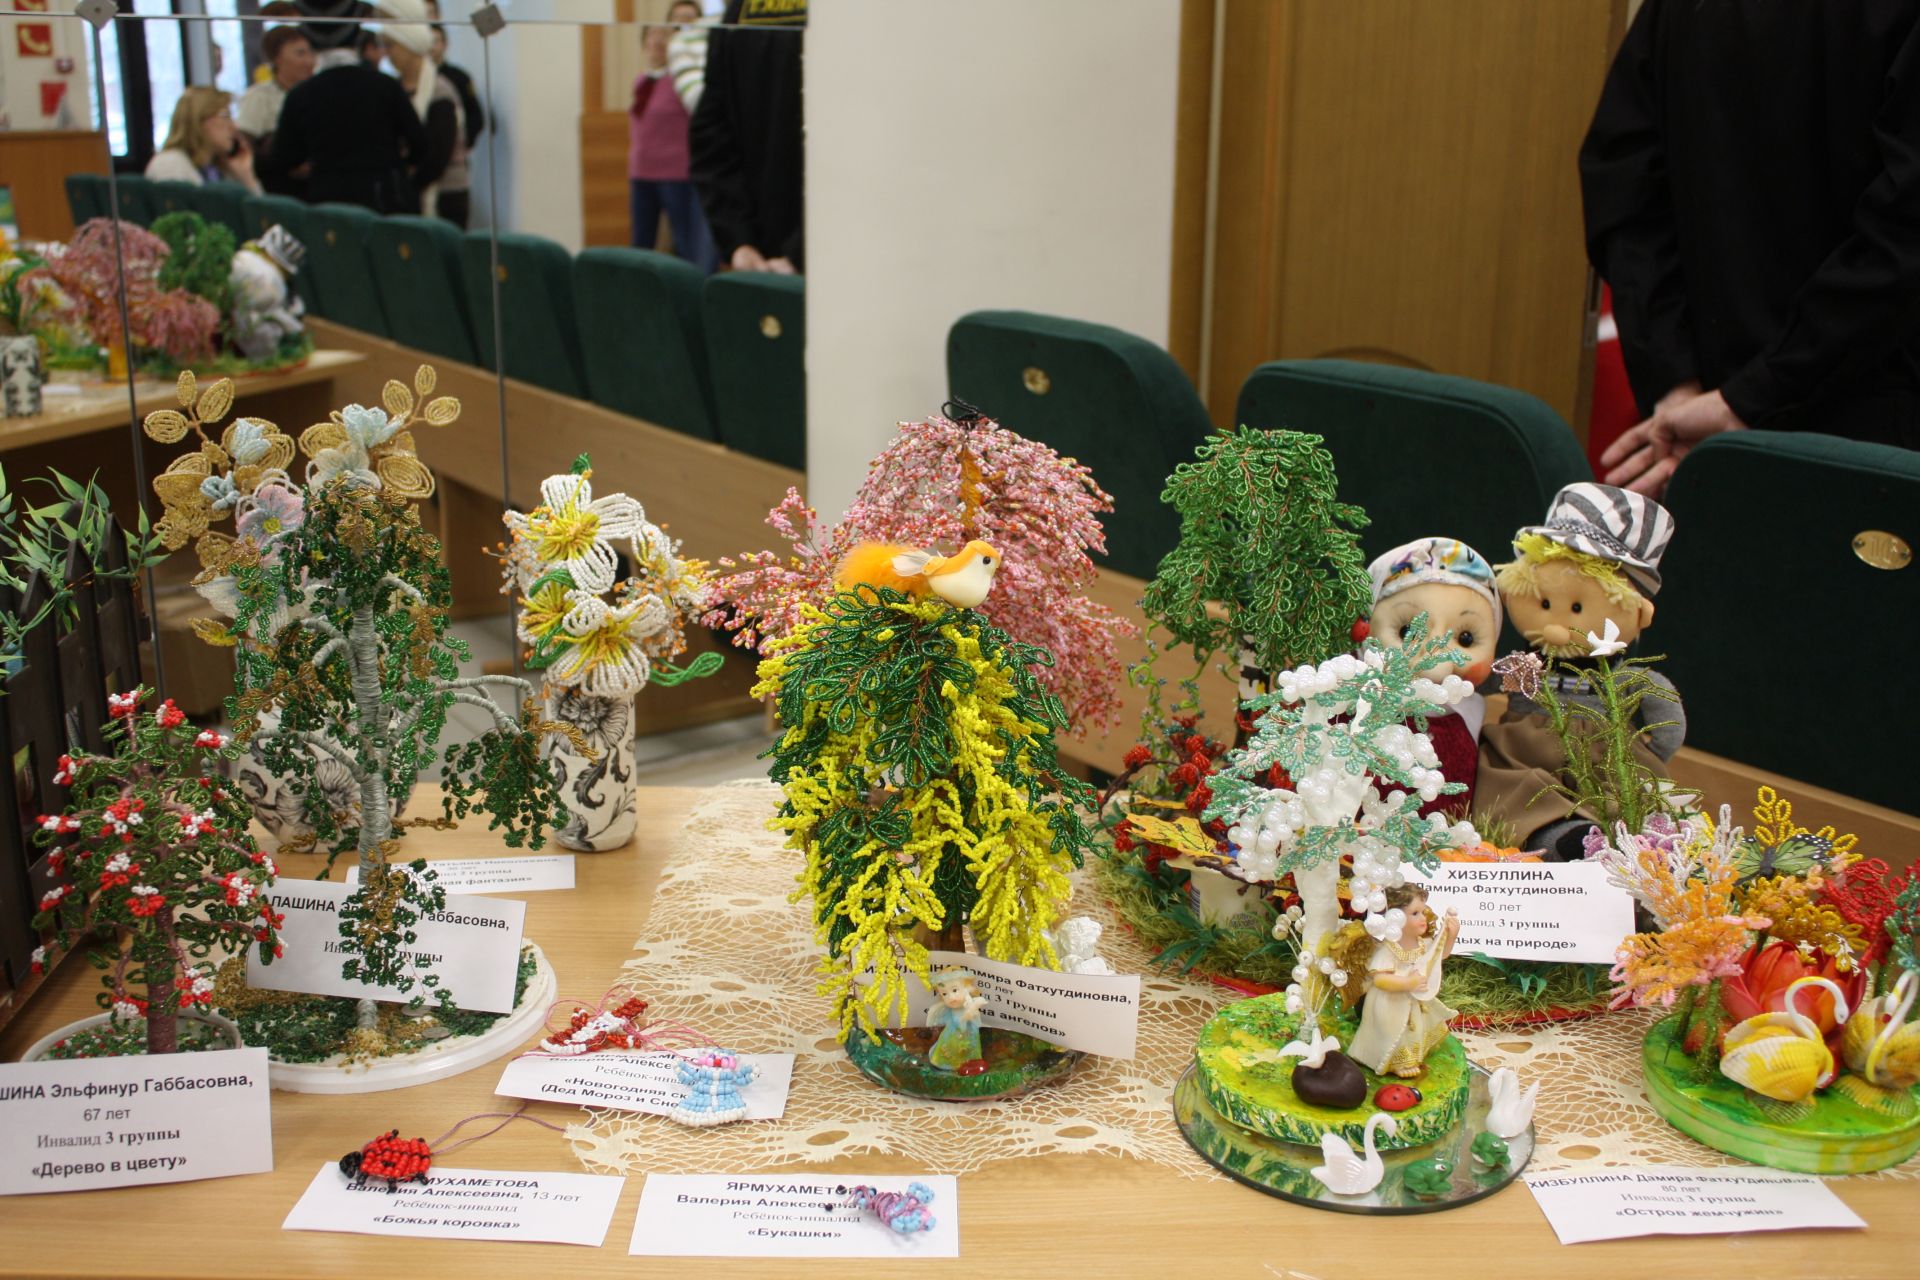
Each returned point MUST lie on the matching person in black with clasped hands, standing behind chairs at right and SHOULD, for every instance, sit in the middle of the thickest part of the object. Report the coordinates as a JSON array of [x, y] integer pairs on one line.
[[1752, 185]]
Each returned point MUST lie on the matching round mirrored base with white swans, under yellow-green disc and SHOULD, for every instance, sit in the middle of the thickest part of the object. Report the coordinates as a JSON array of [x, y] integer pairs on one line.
[[1285, 1168]]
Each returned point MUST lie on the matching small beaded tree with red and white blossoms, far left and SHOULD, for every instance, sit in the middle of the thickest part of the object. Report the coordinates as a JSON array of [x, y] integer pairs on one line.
[[156, 855]]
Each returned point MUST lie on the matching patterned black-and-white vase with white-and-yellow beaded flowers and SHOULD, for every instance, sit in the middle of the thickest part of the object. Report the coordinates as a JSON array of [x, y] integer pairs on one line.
[[600, 642]]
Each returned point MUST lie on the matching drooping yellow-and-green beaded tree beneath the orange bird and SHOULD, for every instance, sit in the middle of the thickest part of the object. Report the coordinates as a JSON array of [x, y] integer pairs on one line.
[[923, 788]]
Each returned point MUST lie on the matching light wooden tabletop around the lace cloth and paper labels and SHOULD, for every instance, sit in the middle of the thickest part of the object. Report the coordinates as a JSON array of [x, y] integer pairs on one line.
[[1055, 1216]]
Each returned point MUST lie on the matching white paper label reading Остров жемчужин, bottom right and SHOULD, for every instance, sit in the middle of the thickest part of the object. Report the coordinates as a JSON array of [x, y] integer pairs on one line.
[[1662, 1200]]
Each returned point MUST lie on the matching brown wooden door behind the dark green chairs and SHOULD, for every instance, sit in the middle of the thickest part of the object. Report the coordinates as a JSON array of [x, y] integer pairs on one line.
[[1391, 181]]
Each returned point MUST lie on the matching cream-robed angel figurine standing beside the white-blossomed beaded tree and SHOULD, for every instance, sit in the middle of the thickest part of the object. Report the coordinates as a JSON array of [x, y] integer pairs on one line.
[[1403, 1020]]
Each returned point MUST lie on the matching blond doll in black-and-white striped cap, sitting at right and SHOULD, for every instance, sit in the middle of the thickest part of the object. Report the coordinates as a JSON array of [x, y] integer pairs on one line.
[[1593, 569]]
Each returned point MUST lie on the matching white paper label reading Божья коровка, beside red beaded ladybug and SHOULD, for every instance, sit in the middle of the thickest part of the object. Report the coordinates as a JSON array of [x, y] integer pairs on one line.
[[464, 1204]]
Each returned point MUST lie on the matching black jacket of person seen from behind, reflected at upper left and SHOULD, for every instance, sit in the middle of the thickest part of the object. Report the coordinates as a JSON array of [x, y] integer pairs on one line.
[[360, 133]]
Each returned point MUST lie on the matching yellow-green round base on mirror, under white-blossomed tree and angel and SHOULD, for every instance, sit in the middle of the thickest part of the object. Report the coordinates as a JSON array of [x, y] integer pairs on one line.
[[1251, 1085]]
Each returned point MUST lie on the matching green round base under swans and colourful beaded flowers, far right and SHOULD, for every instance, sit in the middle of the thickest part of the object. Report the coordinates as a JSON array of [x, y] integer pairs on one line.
[[1836, 1135]]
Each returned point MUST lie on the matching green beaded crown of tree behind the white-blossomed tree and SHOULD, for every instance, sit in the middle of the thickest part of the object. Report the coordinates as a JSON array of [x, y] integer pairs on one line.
[[1268, 559]]
